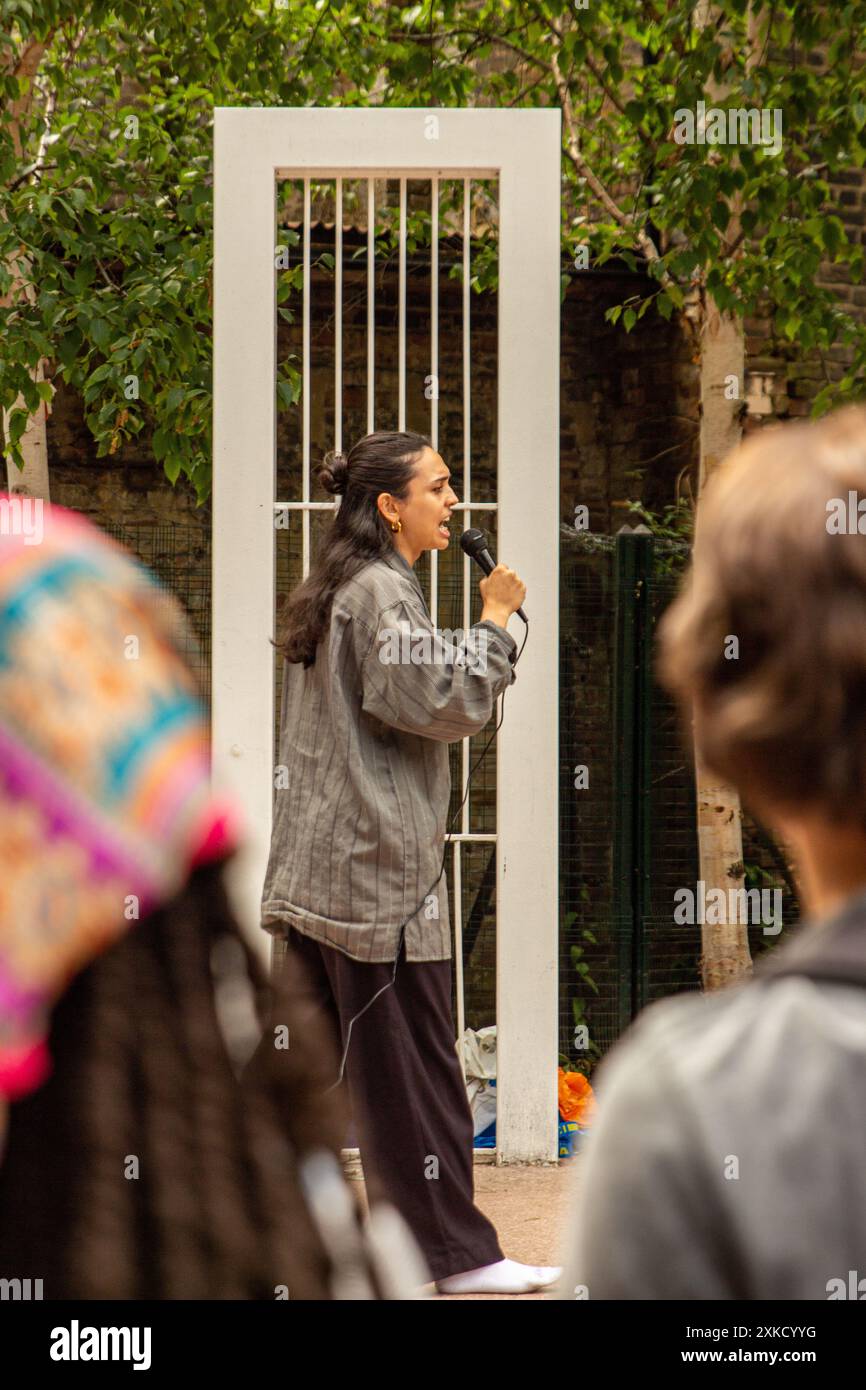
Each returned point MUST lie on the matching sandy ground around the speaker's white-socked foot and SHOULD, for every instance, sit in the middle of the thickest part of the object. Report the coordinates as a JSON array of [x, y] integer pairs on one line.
[[529, 1207]]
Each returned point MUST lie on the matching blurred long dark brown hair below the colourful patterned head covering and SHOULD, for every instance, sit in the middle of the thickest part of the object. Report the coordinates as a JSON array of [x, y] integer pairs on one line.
[[141, 1070]]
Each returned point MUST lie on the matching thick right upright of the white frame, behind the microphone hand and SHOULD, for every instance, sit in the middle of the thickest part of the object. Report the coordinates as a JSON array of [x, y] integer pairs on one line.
[[528, 779]]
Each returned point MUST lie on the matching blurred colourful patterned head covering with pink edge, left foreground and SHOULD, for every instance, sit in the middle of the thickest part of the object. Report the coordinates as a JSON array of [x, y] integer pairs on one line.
[[105, 764]]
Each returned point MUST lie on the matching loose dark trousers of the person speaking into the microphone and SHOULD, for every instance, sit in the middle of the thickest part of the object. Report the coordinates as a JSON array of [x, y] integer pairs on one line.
[[408, 1097]]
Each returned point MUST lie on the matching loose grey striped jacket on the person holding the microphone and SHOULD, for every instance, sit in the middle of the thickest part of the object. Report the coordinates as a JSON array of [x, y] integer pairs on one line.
[[363, 785]]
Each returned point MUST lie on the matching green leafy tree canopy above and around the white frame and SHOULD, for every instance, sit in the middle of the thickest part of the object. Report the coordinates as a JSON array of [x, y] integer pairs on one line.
[[106, 244]]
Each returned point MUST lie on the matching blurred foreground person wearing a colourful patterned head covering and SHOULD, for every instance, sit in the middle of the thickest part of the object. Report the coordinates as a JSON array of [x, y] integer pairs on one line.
[[145, 1157]]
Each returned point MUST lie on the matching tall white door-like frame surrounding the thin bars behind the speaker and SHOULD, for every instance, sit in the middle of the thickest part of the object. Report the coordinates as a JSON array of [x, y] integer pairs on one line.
[[522, 148]]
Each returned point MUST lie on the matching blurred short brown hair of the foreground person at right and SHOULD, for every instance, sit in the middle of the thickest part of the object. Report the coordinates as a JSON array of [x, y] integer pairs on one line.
[[786, 719]]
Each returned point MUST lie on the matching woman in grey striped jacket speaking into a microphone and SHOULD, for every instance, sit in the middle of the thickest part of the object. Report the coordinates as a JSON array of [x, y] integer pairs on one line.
[[372, 698]]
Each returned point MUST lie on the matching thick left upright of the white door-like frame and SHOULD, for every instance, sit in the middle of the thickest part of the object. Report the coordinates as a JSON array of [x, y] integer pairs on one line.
[[244, 380]]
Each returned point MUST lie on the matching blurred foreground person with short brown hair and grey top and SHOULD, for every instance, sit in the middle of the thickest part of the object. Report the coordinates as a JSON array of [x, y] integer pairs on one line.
[[729, 1154]]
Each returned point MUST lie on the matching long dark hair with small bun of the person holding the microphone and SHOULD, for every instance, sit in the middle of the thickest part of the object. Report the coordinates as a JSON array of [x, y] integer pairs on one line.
[[382, 462]]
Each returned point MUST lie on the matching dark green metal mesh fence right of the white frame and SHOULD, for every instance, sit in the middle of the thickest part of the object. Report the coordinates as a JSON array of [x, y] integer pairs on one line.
[[628, 799]]
